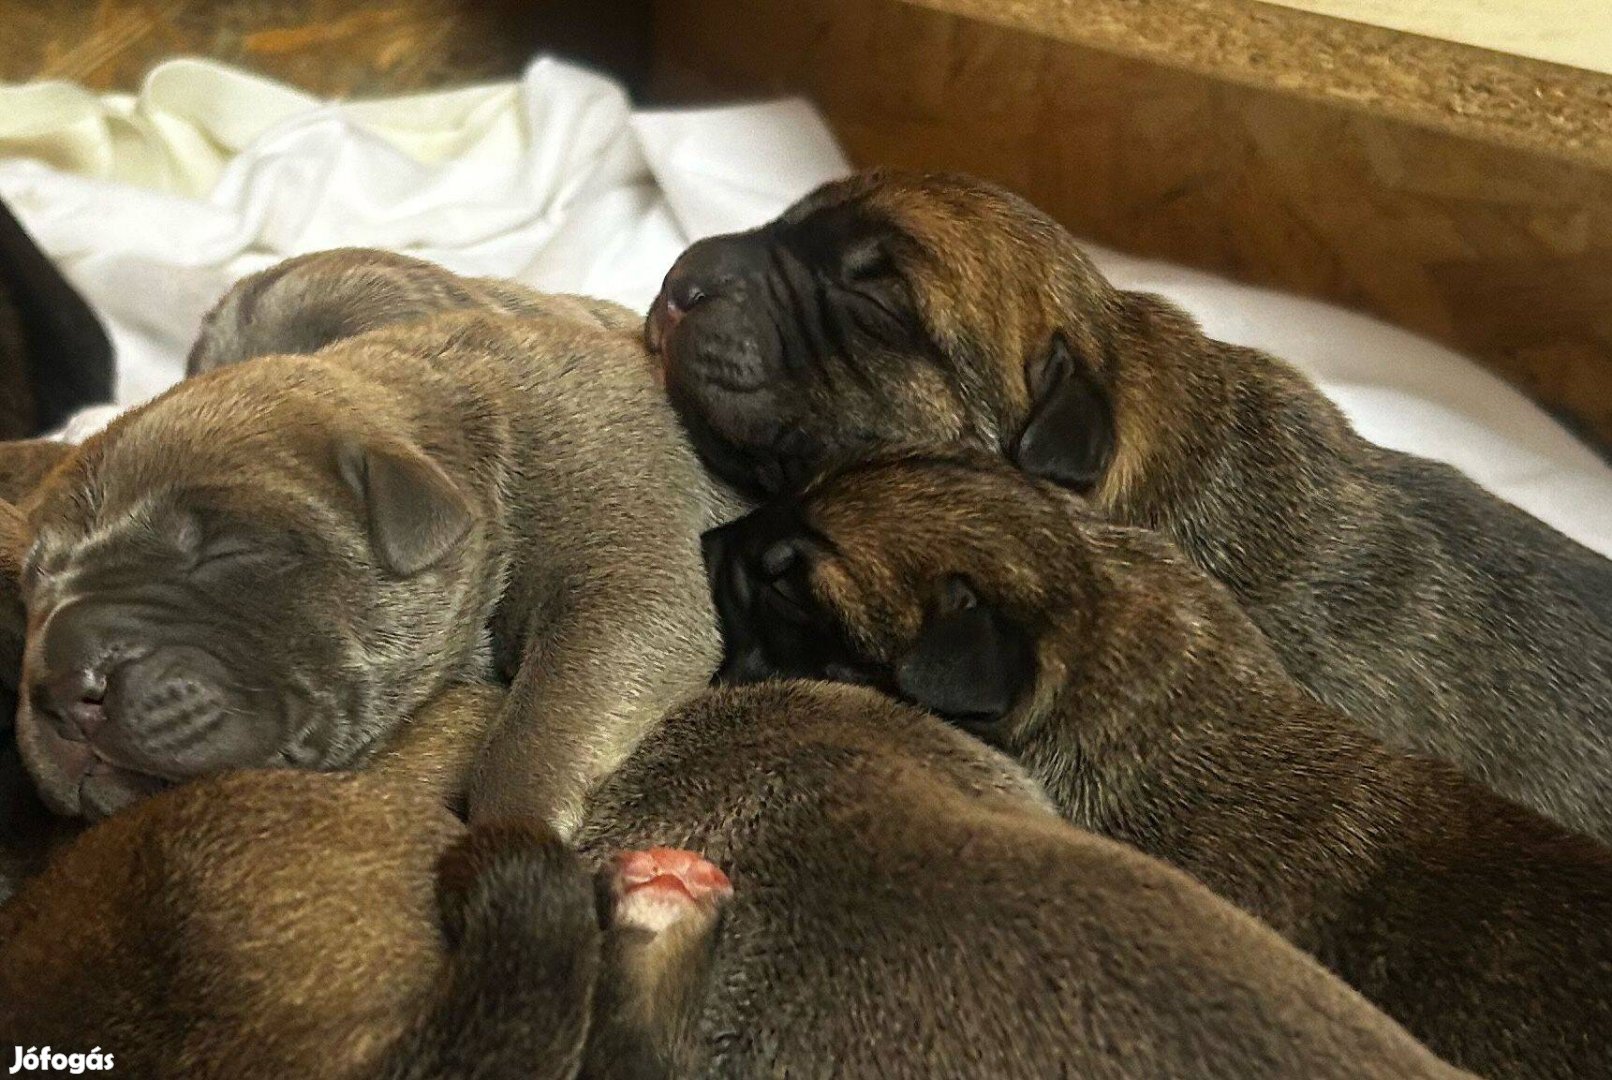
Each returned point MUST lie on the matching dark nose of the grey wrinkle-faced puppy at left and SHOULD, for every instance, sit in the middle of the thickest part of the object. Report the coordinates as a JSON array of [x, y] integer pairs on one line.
[[80, 652]]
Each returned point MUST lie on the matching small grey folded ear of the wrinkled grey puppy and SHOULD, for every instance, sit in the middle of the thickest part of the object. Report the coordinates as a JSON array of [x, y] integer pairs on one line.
[[417, 513]]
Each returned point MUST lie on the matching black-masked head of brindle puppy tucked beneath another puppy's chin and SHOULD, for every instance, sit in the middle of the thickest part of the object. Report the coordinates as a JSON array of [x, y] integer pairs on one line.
[[929, 579]]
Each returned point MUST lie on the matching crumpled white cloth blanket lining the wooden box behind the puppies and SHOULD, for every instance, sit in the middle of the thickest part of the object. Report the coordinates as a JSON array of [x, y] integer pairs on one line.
[[154, 204]]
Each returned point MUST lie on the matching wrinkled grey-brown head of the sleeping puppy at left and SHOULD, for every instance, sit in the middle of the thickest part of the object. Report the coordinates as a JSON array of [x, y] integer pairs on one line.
[[243, 573]]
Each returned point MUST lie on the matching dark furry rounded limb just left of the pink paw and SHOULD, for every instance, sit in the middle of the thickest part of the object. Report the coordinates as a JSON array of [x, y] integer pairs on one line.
[[517, 997]]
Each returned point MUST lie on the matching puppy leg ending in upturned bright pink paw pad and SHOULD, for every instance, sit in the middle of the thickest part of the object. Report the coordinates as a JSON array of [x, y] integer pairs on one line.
[[662, 910]]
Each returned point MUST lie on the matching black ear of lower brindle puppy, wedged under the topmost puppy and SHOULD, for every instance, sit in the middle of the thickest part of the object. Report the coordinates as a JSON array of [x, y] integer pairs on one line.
[[971, 663]]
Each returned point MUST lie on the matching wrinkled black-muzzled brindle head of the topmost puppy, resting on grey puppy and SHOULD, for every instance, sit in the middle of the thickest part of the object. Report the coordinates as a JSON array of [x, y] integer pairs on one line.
[[889, 312]]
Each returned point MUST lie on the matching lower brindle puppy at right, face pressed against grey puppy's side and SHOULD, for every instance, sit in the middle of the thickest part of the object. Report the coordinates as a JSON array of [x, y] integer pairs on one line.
[[1150, 707]]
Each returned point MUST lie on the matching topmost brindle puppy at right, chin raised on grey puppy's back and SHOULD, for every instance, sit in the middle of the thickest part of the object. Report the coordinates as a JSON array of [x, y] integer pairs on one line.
[[902, 310]]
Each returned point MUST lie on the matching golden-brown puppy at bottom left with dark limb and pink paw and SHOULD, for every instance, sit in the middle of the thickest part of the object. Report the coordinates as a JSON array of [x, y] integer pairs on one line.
[[291, 924]]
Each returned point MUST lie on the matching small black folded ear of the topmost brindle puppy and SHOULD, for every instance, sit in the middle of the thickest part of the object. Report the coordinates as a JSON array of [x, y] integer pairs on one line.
[[1070, 438]]
